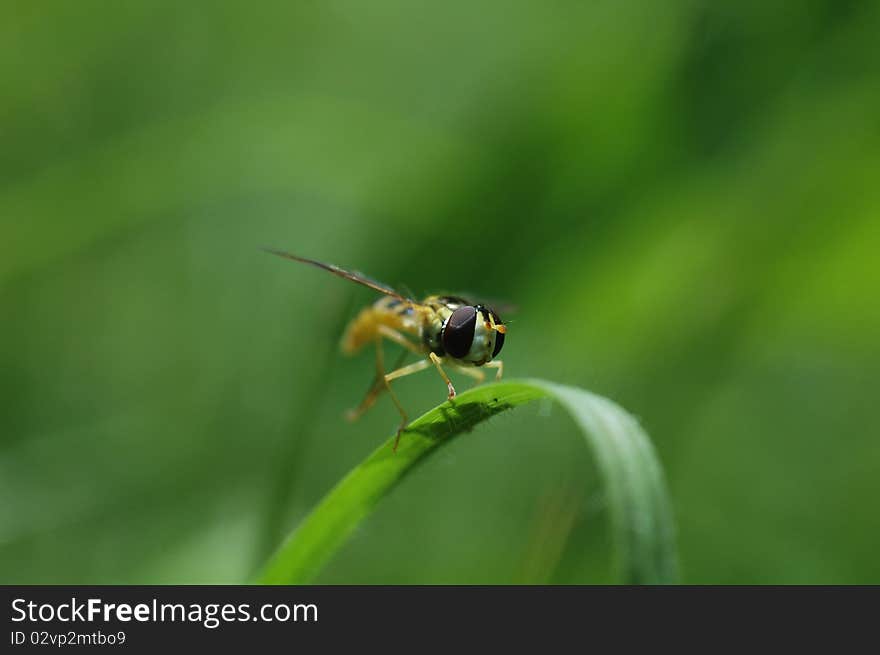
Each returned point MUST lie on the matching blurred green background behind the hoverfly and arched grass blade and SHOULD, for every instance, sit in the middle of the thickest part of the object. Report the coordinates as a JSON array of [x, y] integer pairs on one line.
[[682, 199]]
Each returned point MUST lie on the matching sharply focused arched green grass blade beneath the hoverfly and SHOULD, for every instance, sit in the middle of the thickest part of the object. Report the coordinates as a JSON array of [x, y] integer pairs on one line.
[[638, 504]]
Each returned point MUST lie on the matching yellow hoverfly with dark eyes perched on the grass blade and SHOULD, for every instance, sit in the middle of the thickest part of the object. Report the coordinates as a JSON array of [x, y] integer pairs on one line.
[[447, 330]]
